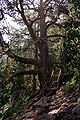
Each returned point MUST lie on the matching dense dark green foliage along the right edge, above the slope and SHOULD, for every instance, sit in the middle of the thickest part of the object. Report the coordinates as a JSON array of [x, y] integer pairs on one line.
[[70, 57]]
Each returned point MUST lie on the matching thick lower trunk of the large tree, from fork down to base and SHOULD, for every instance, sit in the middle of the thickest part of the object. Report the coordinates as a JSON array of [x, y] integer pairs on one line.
[[44, 77]]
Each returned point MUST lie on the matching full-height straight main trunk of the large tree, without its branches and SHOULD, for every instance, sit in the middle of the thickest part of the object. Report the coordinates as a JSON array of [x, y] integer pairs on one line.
[[44, 77]]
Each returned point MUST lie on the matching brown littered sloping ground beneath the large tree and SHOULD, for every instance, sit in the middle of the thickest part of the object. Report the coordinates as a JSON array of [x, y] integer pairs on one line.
[[63, 105]]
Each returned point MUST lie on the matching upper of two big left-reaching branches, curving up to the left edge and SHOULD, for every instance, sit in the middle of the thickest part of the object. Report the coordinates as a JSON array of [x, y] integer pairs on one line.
[[7, 50]]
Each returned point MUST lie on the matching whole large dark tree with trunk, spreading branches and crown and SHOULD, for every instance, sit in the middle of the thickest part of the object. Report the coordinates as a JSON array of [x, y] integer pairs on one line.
[[46, 16]]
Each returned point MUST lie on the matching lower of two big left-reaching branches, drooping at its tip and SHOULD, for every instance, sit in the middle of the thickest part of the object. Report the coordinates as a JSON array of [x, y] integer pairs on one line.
[[20, 73]]
